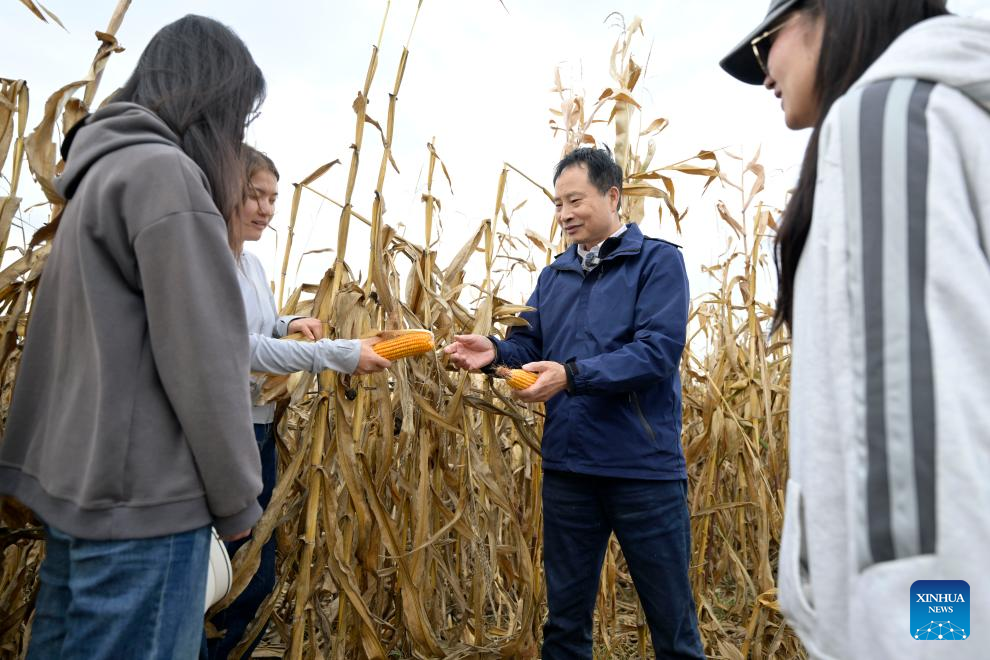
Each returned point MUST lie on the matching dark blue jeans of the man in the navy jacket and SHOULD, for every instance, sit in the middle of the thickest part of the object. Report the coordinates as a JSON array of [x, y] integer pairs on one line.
[[651, 521]]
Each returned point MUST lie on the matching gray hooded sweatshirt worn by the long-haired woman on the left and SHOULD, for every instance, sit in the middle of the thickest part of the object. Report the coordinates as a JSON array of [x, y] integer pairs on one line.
[[131, 416]]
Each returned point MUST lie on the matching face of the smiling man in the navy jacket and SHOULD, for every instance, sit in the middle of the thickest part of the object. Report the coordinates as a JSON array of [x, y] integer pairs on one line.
[[587, 216]]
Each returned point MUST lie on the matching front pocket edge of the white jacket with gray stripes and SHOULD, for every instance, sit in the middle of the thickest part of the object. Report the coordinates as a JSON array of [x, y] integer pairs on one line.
[[794, 575]]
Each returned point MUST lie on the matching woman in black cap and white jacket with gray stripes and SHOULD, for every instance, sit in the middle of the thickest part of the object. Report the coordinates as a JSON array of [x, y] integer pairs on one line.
[[883, 281]]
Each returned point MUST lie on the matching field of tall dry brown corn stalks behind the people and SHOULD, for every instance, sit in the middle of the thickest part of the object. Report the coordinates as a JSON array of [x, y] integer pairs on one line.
[[407, 512]]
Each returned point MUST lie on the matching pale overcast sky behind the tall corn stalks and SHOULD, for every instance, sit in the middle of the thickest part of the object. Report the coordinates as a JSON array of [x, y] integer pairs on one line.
[[478, 80]]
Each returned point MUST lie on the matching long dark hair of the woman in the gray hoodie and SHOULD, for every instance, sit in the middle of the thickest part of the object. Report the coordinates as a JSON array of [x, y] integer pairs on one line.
[[198, 76]]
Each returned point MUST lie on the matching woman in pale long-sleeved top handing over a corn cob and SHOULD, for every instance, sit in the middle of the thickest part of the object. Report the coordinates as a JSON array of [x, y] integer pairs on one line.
[[269, 354]]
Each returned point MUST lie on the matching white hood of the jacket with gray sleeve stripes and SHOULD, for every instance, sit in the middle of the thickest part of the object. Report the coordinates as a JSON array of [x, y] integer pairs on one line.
[[951, 50]]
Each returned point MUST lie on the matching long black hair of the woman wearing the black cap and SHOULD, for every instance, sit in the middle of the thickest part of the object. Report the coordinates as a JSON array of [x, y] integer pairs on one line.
[[856, 33]]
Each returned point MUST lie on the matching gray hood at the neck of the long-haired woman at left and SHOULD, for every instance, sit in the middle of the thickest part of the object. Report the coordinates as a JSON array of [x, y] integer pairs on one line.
[[114, 127]]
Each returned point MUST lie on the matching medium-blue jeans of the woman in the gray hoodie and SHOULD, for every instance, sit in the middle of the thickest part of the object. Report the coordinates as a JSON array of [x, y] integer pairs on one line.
[[140, 598]]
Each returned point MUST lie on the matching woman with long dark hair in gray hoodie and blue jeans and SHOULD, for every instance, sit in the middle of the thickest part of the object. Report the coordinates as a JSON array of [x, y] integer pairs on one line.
[[129, 431]]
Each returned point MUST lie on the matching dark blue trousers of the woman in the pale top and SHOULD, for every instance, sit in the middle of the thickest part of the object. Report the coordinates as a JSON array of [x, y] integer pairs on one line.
[[238, 615]]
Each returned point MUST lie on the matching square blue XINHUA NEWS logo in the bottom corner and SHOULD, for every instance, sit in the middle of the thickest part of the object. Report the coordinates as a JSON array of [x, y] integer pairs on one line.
[[940, 610]]
